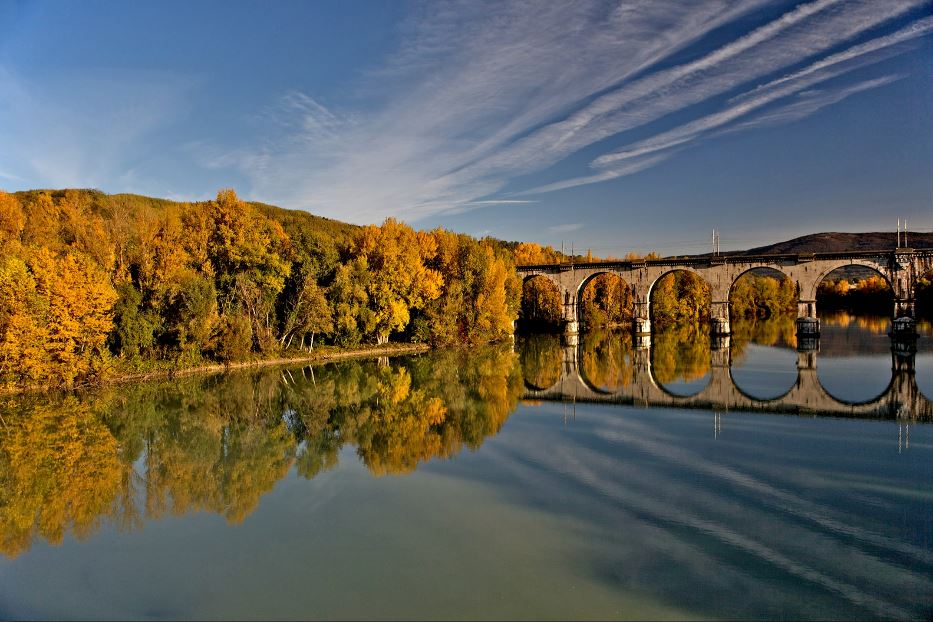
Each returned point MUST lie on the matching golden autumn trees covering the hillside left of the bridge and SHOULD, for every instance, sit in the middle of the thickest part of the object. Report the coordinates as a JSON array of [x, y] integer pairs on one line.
[[93, 285]]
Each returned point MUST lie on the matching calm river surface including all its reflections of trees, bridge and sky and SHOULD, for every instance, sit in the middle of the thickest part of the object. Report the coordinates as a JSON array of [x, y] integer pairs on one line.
[[488, 484]]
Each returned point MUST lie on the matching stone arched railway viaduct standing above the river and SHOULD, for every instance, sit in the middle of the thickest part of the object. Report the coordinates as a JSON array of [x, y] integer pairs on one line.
[[901, 268]]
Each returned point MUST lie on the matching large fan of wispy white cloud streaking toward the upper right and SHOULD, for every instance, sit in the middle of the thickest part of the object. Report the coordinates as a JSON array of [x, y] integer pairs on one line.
[[481, 94]]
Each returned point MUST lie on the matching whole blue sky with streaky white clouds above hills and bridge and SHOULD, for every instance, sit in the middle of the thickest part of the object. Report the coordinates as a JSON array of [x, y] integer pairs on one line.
[[609, 126]]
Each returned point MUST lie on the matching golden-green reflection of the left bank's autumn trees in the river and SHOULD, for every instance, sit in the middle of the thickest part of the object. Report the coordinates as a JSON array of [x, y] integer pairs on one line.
[[220, 443]]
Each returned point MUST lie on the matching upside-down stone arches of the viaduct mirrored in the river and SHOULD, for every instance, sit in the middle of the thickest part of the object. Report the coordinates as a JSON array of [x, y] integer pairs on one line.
[[901, 400]]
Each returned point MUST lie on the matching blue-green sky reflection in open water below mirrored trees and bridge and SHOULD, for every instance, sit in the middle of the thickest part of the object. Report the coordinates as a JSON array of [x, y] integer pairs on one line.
[[590, 512]]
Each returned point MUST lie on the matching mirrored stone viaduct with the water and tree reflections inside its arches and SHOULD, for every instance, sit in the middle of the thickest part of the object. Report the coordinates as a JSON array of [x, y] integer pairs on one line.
[[683, 368]]
